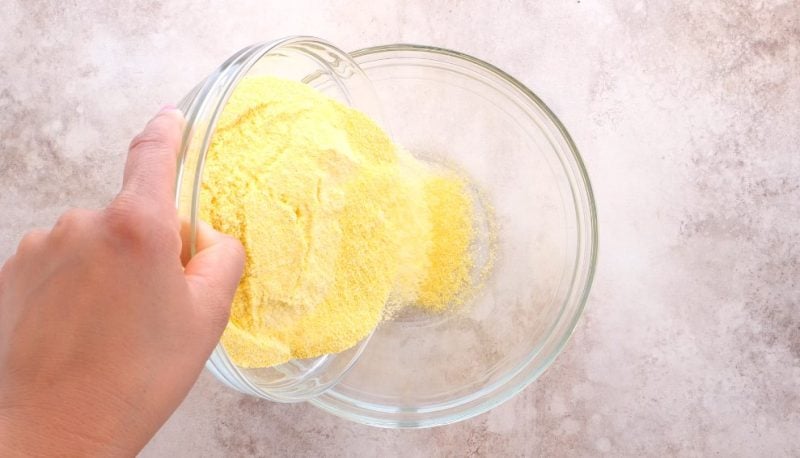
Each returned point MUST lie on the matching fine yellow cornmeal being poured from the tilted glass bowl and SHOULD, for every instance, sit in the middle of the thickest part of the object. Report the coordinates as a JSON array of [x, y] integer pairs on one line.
[[335, 221]]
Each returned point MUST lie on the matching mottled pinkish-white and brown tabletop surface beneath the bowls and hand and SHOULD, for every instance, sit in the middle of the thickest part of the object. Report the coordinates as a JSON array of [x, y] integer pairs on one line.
[[688, 117]]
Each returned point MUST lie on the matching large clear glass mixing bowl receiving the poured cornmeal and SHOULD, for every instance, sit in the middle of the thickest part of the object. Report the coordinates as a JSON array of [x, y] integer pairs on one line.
[[426, 370]]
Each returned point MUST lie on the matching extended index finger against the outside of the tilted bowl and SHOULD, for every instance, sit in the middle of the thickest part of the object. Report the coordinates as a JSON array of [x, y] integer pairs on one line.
[[152, 156]]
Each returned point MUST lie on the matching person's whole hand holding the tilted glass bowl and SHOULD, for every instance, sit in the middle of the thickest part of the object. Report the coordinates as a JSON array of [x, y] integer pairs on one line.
[[103, 329]]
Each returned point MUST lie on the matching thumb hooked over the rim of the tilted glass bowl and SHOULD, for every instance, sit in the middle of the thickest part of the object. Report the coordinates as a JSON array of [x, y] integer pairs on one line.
[[213, 274]]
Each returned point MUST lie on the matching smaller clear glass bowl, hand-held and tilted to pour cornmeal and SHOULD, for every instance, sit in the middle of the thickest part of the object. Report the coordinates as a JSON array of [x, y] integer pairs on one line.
[[331, 71]]
